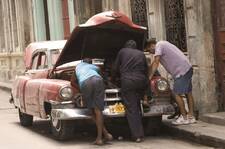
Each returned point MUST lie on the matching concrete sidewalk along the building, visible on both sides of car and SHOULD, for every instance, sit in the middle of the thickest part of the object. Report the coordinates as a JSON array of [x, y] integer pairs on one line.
[[211, 132]]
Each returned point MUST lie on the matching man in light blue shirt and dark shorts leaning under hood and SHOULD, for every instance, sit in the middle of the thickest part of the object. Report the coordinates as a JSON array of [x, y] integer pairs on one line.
[[92, 88]]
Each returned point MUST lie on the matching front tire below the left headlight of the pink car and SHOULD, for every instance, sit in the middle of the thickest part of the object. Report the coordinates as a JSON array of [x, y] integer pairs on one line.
[[62, 129]]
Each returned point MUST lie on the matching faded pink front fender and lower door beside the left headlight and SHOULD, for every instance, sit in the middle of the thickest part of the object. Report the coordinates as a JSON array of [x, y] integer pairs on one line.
[[41, 91]]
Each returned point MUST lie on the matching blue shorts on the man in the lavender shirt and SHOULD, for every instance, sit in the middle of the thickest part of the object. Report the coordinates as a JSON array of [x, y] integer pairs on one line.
[[183, 84]]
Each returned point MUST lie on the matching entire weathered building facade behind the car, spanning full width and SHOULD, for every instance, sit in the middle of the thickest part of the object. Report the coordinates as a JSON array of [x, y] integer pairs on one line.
[[197, 27]]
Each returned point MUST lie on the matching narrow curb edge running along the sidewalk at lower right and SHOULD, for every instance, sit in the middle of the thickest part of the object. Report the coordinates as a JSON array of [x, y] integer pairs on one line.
[[195, 136]]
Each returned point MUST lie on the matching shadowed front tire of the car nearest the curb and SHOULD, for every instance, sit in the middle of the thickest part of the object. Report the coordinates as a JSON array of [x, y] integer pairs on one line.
[[152, 125]]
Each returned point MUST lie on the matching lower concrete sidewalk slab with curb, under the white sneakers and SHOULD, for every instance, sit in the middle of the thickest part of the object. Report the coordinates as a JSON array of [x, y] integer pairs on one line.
[[201, 132]]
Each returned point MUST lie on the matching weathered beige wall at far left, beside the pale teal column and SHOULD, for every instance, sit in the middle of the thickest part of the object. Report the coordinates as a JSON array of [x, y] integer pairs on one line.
[[17, 33]]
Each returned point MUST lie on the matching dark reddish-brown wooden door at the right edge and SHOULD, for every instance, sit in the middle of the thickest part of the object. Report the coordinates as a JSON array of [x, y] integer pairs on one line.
[[219, 28]]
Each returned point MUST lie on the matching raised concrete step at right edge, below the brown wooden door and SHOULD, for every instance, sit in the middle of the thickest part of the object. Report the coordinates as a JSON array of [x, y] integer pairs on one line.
[[214, 118]]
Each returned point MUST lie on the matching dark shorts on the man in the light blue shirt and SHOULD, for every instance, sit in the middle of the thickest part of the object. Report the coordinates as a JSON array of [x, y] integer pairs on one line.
[[93, 92]]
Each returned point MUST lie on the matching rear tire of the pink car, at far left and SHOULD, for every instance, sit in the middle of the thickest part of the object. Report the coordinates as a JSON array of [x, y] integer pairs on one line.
[[25, 119]]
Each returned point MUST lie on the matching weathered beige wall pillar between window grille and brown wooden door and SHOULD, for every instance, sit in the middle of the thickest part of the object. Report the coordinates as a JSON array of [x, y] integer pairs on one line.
[[201, 53]]
